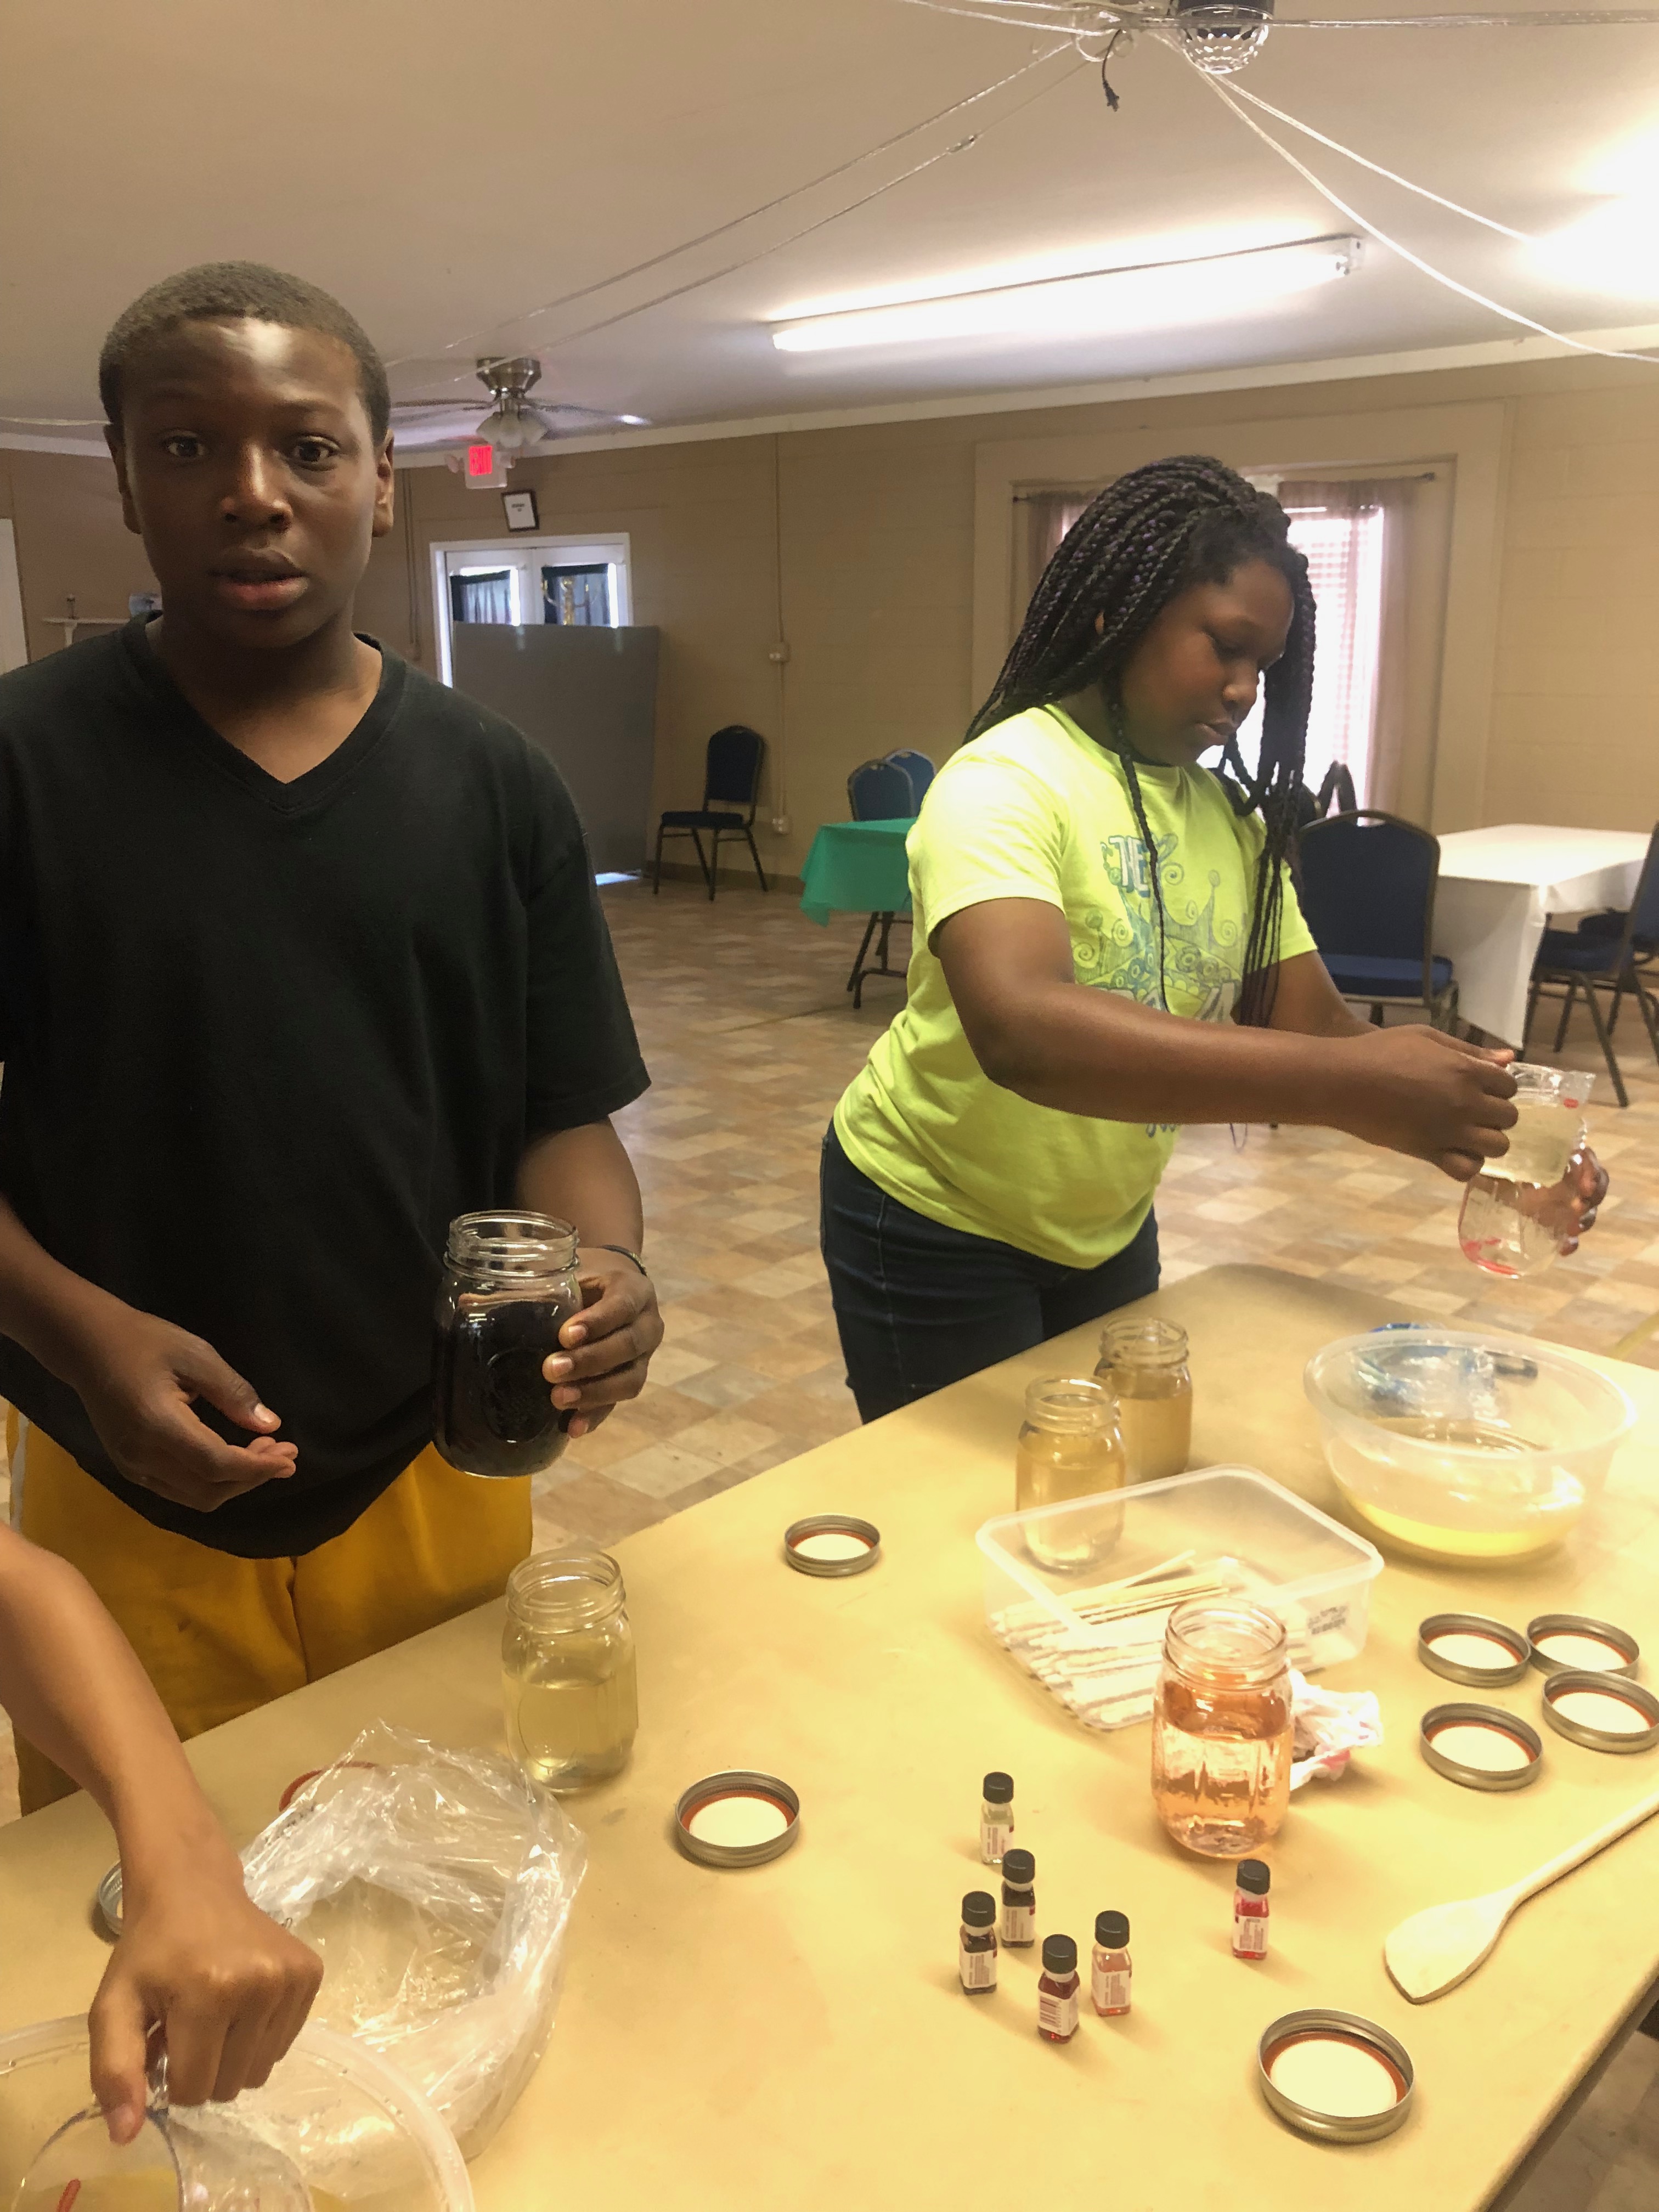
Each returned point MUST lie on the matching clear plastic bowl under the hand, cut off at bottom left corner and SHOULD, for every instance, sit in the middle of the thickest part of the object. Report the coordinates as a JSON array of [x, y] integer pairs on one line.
[[362, 2136]]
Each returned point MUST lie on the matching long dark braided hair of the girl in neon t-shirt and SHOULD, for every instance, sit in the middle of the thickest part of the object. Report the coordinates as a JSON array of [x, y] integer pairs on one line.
[[1140, 543]]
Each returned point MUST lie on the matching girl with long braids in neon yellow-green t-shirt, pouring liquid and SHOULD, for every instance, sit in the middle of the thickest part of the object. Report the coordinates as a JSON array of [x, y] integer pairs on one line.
[[1109, 946]]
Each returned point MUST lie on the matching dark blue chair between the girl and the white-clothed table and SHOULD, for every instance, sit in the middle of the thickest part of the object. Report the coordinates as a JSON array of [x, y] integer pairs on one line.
[[1368, 884]]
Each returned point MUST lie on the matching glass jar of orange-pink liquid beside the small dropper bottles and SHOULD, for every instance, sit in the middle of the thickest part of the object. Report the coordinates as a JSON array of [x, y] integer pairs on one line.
[[1222, 1729]]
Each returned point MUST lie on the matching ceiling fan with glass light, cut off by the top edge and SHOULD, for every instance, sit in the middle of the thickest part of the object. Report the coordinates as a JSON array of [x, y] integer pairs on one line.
[[1227, 39]]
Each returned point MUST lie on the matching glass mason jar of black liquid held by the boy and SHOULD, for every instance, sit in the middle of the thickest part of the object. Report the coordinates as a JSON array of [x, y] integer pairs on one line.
[[510, 1286]]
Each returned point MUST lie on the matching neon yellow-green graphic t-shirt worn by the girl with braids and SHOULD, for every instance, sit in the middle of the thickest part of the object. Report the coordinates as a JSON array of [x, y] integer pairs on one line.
[[1039, 811]]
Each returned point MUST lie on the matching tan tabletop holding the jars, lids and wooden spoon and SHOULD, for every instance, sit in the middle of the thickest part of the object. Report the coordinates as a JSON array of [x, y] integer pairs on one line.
[[797, 2036]]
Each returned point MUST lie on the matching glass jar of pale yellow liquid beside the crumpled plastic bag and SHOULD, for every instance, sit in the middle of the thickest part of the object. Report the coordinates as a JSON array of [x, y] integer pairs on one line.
[[570, 1678]]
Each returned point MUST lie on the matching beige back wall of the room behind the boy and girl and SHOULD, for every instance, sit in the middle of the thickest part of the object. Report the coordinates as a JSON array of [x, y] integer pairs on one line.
[[868, 541]]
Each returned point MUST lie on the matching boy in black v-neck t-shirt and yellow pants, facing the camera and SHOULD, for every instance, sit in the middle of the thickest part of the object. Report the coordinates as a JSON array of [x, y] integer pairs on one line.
[[300, 959]]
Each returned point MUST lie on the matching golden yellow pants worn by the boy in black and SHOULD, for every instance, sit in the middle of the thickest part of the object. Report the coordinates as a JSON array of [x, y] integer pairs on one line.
[[220, 1636]]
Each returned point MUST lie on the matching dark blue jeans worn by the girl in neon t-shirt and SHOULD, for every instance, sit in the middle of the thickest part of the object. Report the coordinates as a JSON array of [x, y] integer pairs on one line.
[[921, 1306]]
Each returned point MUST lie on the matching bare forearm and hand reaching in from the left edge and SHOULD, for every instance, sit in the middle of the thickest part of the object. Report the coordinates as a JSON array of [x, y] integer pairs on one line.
[[198, 1961]]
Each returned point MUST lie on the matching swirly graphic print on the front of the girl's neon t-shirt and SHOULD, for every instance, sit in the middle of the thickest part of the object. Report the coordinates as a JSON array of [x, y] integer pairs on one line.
[[1123, 954]]
